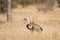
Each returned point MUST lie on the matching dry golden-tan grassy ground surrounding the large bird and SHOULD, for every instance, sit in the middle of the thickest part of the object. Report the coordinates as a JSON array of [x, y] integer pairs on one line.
[[49, 21]]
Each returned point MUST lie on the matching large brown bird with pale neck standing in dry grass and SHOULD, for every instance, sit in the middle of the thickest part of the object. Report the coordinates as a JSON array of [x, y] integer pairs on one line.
[[32, 26]]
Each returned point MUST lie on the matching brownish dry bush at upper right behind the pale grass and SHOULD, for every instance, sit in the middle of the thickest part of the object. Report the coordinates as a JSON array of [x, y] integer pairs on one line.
[[46, 5]]
